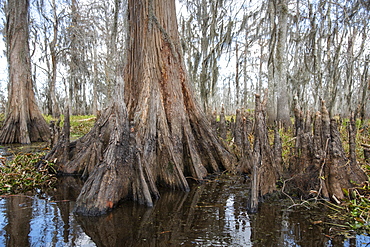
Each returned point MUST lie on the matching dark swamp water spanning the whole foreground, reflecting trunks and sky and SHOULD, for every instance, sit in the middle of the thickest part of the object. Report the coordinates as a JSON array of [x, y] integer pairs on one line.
[[211, 214]]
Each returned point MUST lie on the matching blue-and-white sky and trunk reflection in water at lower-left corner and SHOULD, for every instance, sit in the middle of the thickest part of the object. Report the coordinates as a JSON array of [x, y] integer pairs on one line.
[[27, 221]]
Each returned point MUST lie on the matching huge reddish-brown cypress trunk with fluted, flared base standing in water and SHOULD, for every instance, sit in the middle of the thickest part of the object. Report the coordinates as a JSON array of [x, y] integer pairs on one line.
[[161, 137]]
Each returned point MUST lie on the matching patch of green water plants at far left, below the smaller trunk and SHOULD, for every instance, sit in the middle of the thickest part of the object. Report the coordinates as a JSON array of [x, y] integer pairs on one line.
[[25, 173]]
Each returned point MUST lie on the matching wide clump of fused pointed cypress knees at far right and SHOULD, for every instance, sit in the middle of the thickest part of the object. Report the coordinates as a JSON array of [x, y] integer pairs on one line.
[[320, 163]]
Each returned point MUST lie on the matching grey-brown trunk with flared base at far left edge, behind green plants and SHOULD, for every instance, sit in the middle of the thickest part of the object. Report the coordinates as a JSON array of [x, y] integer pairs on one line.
[[24, 122]]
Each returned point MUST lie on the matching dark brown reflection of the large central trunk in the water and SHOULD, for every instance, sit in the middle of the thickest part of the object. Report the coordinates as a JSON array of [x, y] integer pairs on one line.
[[205, 216]]
